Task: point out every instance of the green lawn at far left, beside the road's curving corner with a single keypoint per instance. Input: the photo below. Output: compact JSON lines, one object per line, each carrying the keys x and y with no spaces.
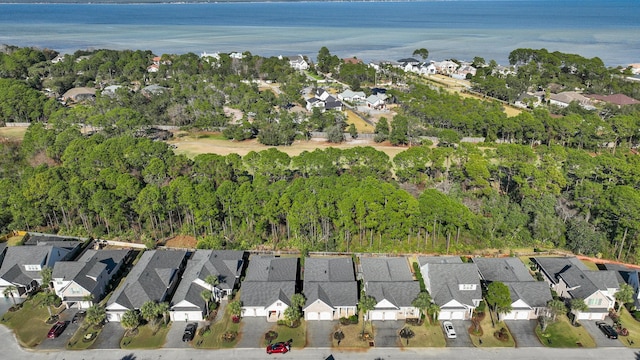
{"x":29,"y":323}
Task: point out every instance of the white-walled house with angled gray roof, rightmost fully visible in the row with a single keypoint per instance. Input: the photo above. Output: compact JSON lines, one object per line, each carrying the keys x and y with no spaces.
{"x":571,"y":279}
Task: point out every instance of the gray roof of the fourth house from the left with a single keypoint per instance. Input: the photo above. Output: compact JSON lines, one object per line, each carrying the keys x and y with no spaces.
{"x":225,"y":264}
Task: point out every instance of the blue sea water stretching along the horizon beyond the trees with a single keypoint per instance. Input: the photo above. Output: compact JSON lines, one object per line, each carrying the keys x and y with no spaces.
{"x":368,"y":30}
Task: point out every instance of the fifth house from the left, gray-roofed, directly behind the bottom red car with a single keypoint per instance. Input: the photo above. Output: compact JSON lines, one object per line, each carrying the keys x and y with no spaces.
{"x":268,"y":286}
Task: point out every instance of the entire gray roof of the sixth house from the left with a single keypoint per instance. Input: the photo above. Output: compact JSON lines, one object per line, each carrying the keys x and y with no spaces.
{"x":331,"y":280}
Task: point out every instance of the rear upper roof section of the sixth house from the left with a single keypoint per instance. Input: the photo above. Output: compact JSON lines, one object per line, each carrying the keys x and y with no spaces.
{"x":329,"y":269}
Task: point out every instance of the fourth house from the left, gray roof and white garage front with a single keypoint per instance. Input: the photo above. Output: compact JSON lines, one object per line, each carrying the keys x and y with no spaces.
{"x":225,"y":265}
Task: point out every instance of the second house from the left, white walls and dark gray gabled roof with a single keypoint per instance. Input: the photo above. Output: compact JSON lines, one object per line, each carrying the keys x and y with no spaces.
{"x":75,"y":281}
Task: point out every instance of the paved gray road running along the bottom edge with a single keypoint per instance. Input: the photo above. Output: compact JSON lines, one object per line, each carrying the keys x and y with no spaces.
{"x":10,"y":350}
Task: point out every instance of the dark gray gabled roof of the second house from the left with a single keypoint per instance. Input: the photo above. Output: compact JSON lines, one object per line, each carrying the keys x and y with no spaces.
{"x":91,"y":264}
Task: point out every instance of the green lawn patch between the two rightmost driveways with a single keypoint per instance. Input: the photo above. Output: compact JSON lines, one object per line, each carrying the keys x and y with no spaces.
{"x":561,"y":334}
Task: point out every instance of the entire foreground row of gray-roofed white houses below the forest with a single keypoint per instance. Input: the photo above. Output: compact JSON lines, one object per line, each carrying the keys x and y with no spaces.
{"x":331,"y":286}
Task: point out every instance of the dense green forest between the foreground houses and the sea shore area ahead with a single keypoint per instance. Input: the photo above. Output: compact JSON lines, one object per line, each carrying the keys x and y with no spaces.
{"x":550,"y":183}
